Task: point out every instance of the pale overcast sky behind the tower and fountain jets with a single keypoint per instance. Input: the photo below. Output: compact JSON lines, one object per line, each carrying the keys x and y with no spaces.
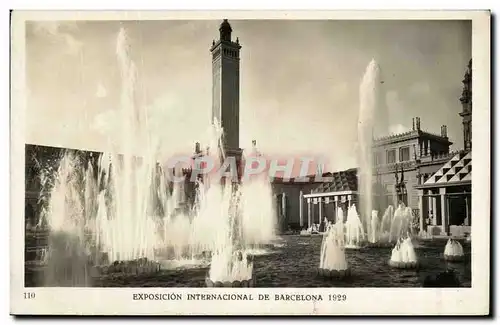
{"x":299,"y":80}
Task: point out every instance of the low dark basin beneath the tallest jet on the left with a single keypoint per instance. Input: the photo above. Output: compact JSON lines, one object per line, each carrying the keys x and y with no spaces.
{"x":139,"y":266}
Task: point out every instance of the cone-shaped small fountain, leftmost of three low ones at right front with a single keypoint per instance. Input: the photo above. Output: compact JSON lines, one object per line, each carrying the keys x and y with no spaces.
{"x":333,"y":263}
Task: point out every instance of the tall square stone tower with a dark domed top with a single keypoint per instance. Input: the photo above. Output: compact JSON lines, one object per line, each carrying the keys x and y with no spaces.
{"x":226,"y":86}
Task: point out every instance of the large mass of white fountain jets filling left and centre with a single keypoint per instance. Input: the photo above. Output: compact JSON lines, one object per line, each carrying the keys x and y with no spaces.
{"x":129,"y":211}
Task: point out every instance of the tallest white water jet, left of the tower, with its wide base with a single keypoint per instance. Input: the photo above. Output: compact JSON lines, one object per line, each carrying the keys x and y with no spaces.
{"x":126,"y":227}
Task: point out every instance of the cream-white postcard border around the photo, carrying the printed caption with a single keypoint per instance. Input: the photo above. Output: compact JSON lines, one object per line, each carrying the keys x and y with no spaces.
{"x":364,"y":301}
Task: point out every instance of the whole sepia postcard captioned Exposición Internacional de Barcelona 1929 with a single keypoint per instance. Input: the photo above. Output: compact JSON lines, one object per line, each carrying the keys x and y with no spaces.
{"x":250,"y":163}
